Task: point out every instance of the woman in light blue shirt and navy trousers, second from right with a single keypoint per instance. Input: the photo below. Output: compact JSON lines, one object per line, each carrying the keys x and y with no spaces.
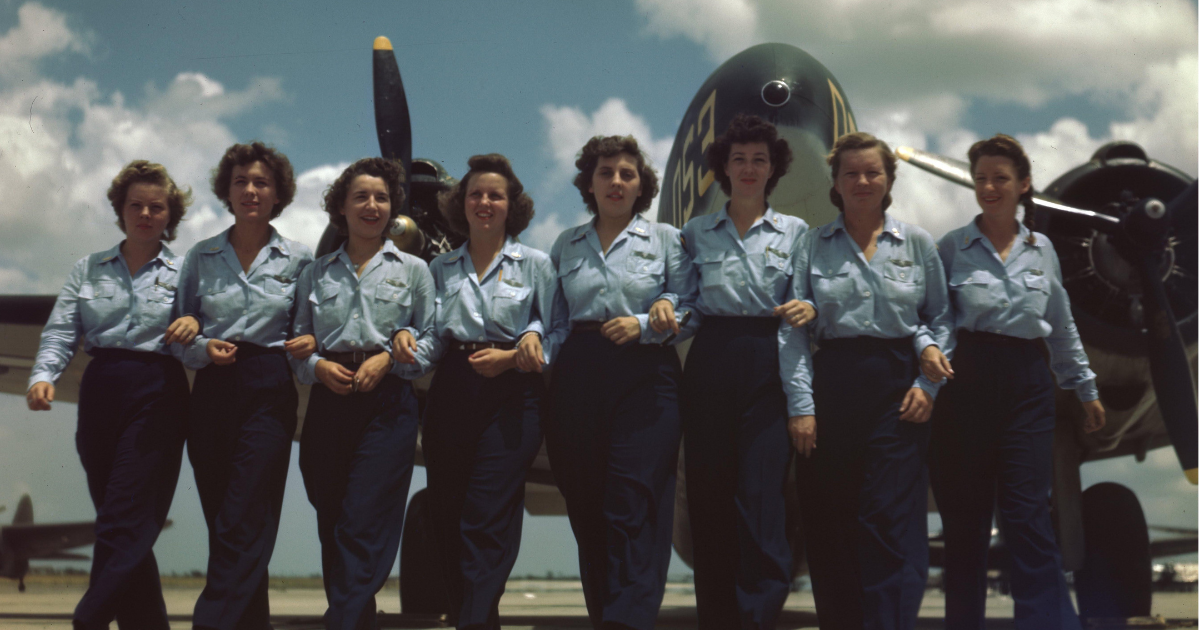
{"x":880,"y":296}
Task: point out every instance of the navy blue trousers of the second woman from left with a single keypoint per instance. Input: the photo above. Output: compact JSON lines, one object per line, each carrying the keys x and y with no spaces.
{"x":239,"y":441}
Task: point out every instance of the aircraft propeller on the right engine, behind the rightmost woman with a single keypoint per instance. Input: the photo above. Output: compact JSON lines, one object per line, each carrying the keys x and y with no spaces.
{"x":1139,"y":231}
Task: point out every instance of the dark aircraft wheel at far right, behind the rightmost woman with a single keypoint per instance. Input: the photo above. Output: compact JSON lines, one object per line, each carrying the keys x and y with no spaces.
{"x":1115,"y":581}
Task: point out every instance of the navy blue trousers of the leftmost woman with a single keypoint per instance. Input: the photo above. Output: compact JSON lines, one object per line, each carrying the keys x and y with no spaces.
{"x":133,"y":413}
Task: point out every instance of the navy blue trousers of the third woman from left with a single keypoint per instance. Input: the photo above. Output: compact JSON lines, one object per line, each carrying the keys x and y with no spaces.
{"x":357,"y":459}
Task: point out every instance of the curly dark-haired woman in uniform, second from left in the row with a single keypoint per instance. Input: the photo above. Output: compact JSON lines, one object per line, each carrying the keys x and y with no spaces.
{"x":242,"y":289}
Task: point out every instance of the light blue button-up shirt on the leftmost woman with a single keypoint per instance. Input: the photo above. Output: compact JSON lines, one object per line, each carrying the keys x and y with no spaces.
{"x":106,"y":308}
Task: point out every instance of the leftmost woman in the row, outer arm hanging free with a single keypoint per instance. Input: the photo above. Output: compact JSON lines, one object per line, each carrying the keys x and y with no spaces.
{"x":134,"y":394}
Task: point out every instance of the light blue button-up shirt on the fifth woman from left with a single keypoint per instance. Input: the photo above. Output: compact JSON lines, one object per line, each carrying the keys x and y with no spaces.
{"x":645,"y":263}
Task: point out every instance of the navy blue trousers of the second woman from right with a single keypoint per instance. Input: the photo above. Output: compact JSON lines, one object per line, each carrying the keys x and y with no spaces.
{"x":865,"y":490}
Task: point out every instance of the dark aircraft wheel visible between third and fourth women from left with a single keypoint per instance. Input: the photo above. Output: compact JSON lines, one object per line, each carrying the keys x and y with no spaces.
{"x":422,"y":585}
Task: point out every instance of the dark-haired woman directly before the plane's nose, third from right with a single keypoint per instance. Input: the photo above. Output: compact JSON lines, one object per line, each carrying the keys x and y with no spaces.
{"x":733,"y":401}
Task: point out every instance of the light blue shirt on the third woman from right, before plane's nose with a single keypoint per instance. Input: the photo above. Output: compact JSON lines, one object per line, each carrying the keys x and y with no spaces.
{"x":747,"y":277}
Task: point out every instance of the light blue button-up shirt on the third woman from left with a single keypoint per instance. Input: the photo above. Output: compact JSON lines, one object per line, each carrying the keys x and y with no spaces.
{"x":349,"y":313}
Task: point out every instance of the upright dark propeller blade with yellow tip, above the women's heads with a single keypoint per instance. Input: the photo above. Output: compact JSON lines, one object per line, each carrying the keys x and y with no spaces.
{"x":393,"y":124}
